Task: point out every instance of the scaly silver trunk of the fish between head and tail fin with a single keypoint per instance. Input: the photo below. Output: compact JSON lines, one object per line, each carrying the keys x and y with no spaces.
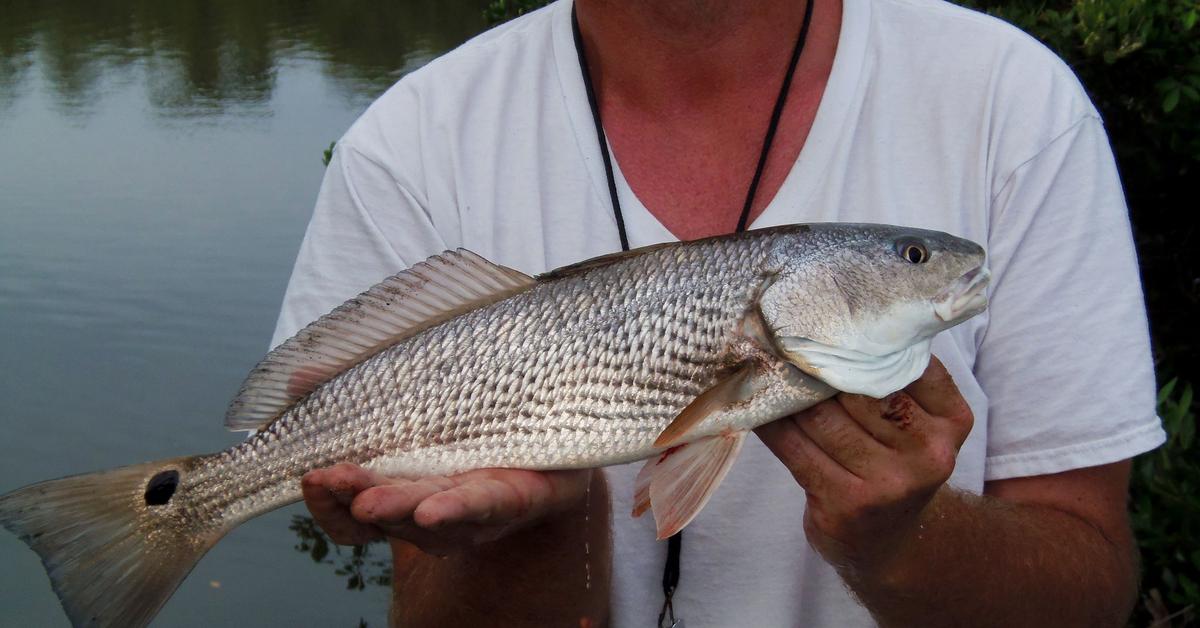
{"x":584,"y":370}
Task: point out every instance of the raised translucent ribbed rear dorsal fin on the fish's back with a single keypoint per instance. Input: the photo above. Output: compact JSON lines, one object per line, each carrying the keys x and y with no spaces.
{"x":429,"y":294}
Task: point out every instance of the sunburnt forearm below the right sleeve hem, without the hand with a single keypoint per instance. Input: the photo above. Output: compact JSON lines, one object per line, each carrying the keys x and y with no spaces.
{"x":982,"y":561}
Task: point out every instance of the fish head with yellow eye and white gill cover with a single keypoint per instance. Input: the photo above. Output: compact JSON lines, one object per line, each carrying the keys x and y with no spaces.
{"x":857,"y":306}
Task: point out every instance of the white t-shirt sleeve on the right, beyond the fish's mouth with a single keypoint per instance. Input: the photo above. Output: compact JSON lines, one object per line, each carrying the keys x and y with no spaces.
{"x":1066,"y":360}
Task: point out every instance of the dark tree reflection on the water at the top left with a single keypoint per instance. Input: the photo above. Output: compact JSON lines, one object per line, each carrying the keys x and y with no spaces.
{"x":200,"y":57}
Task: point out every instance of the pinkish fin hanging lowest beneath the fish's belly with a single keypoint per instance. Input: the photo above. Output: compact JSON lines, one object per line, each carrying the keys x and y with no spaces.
{"x":680,"y":482}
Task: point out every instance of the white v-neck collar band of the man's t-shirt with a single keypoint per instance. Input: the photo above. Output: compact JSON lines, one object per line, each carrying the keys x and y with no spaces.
{"x":837,"y":104}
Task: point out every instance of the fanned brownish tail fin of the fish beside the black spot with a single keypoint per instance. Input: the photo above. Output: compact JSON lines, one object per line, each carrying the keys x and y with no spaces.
{"x":115,"y":543}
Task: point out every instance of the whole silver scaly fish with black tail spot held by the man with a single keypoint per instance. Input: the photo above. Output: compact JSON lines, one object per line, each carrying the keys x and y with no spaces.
{"x":584,"y":367}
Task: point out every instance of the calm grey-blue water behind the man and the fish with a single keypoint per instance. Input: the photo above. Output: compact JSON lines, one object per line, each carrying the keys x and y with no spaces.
{"x":158,"y":168}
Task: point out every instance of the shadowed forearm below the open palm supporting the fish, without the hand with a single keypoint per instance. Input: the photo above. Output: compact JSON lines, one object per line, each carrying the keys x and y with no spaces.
{"x":556,"y":573}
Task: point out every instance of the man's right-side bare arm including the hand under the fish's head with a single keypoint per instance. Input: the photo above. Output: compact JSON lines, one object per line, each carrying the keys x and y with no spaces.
{"x":1051,"y":551}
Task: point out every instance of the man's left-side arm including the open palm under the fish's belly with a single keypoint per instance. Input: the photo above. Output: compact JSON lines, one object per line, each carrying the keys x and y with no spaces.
{"x":551,"y":567}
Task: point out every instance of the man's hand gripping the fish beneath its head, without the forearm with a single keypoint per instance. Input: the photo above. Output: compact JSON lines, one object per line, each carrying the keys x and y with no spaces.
{"x":872,"y":466}
